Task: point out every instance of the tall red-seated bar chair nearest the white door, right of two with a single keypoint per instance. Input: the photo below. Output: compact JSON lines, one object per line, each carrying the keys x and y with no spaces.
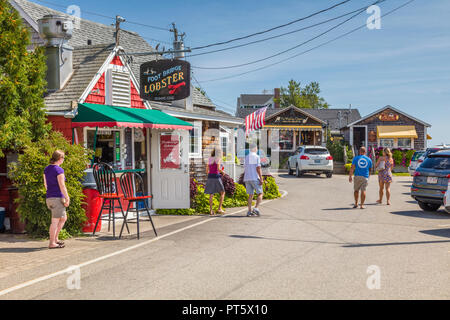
{"x":131,"y":184}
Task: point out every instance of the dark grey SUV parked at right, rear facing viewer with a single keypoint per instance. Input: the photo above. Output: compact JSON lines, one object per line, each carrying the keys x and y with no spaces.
{"x":431,"y":181}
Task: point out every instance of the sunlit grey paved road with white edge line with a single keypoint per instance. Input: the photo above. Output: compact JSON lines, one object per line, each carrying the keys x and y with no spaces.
{"x":307,"y":245}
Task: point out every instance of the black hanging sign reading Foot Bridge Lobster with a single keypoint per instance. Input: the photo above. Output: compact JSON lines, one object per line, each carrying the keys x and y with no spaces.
{"x":165,"y":80}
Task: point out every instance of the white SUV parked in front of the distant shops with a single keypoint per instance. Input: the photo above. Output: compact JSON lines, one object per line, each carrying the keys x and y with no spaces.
{"x":311,"y":159}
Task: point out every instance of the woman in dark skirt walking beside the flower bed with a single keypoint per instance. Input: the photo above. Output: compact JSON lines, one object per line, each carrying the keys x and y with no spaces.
{"x":214,"y":183}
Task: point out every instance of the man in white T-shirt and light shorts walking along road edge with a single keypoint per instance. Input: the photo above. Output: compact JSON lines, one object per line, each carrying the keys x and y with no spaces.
{"x":253,"y":180}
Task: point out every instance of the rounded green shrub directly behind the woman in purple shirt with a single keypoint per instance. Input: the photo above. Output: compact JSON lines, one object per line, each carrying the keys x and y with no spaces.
{"x":27,"y":175}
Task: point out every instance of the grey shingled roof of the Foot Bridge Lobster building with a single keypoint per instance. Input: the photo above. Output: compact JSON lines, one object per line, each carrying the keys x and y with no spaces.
{"x":101,"y":36}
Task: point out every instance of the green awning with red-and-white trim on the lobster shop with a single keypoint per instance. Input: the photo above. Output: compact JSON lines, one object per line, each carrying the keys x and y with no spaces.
{"x":97,"y":115}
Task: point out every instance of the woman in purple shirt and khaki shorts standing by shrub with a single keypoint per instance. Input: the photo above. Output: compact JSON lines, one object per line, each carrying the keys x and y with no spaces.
{"x":57,"y":197}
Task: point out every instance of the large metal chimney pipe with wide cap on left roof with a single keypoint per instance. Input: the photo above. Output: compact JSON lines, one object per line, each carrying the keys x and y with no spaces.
{"x":57,"y":30}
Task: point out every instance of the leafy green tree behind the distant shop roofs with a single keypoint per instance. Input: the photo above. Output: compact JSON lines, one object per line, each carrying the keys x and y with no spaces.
{"x":307,"y":97}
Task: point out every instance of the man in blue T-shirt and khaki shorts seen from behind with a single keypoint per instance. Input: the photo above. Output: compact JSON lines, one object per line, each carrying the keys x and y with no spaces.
{"x":361,"y":166}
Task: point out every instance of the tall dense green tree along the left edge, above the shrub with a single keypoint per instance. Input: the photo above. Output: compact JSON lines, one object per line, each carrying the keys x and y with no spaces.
{"x":22,"y":84}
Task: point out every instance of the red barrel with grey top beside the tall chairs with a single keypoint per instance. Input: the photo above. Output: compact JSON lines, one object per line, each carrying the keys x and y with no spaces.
{"x":93,"y":202}
